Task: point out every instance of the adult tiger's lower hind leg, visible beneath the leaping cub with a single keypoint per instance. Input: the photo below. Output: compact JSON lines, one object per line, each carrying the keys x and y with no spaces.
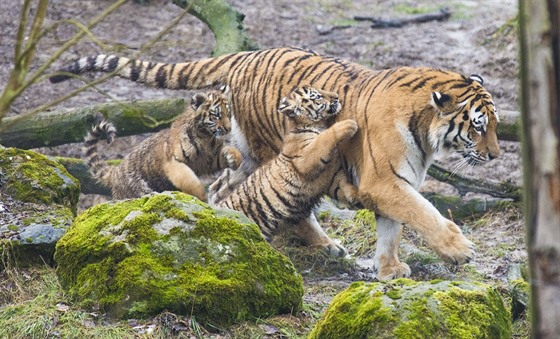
{"x":313,"y":235}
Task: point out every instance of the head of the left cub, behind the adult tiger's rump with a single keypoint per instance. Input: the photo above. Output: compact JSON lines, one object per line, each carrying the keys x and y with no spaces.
{"x":212,"y":111}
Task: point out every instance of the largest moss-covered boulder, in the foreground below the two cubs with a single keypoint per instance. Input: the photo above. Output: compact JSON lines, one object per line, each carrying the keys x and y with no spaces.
{"x":169,"y":251}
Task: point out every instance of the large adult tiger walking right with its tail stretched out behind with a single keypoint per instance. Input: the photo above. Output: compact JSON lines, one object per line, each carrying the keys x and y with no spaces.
{"x":405,"y":115}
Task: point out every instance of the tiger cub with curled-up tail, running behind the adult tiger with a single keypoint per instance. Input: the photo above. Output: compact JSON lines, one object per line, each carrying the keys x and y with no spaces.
{"x":174,"y":158}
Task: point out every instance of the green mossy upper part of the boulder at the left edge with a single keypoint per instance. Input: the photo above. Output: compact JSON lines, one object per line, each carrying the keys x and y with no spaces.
{"x":31,"y":177}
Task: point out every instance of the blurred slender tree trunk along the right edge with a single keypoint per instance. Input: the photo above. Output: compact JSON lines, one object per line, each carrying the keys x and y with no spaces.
{"x":540,"y":106}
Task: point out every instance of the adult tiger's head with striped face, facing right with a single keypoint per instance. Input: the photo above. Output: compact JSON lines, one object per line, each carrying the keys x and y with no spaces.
{"x":468,"y":121}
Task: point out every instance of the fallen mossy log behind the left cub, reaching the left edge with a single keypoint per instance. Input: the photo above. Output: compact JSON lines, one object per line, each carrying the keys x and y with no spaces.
{"x":63,"y":127}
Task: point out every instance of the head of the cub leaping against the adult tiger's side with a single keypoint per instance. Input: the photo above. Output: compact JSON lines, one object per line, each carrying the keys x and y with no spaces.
{"x":307,"y":106}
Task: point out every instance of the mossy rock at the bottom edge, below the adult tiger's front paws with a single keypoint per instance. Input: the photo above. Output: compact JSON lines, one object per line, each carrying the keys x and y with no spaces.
{"x":404,"y":308}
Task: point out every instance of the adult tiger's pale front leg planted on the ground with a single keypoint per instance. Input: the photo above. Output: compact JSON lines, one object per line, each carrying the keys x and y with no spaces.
{"x":386,"y":261}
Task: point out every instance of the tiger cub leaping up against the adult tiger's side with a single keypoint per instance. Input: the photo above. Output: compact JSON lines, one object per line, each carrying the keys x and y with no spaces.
{"x":281,"y":192}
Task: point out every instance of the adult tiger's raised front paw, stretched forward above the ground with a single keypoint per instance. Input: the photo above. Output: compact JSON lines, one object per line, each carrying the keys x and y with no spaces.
{"x":452,"y":246}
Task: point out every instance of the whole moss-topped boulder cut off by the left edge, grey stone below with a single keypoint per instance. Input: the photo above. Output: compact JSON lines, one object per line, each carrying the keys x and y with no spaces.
{"x":38,"y":200}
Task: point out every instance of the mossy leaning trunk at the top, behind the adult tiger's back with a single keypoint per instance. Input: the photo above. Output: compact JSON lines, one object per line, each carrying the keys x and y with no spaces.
{"x":224,"y":21}
